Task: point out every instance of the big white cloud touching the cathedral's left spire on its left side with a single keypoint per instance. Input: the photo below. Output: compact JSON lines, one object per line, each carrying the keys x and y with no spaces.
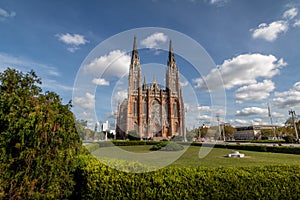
{"x":115,"y":63}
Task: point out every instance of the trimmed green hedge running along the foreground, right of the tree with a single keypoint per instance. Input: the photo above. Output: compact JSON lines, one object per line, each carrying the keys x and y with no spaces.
{"x":97,"y":181}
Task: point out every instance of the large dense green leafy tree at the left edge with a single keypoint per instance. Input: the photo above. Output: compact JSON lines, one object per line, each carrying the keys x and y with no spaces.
{"x":38,"y":139}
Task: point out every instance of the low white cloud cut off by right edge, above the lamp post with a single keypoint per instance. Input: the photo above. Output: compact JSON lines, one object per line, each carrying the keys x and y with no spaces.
{"x":288,"y":99}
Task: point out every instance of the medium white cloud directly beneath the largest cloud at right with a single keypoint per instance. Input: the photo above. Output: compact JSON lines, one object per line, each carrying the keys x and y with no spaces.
{"x":254,"y":92}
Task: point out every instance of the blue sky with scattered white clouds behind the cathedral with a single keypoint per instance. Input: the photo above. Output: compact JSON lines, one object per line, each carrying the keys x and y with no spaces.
{"x":235,"y":57}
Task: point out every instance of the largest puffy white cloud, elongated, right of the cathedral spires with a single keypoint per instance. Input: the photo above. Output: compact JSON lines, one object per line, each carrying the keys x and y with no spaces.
{"x":241,"y":70}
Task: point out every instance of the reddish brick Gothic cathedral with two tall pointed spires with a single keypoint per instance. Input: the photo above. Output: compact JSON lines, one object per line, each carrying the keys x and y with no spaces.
{"x":150,"y":110}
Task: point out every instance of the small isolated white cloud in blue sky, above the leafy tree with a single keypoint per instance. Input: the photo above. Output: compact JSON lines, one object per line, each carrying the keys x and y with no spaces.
{"x":73,"y":40}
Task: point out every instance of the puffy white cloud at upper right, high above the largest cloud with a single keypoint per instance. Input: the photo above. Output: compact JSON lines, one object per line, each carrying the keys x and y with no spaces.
{"x":270,"y":31}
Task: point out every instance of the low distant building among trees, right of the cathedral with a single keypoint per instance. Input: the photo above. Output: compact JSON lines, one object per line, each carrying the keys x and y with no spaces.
{"x":250,"y":132}
